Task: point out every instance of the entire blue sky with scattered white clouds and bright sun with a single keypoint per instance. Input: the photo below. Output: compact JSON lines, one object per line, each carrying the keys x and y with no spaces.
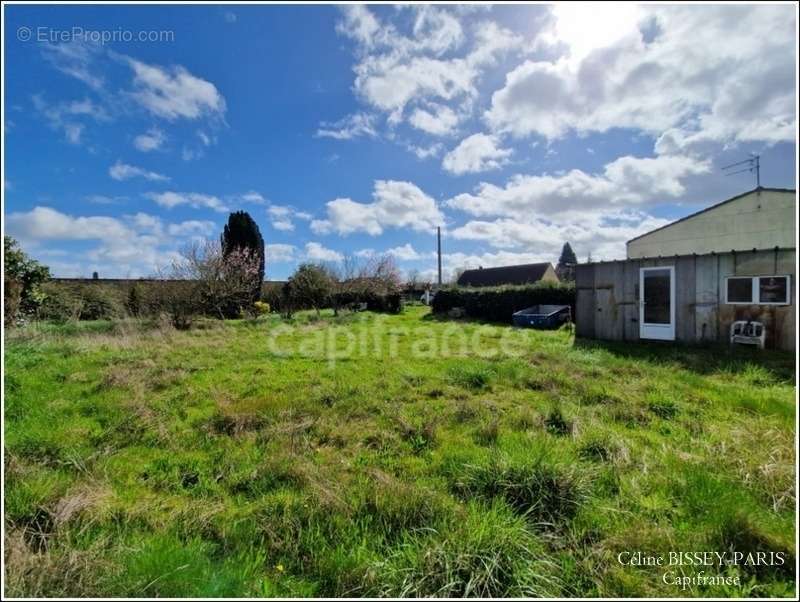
{"x":353,"y":131}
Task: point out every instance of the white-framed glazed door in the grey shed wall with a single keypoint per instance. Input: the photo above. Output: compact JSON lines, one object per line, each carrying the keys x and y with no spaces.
{"x":657,"y":303}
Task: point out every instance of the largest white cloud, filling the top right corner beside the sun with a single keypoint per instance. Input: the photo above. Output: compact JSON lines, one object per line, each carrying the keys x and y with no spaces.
{"x":740,"y":88}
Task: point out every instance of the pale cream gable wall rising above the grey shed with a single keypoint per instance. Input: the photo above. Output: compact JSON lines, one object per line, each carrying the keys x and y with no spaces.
{"x":761,"y":219}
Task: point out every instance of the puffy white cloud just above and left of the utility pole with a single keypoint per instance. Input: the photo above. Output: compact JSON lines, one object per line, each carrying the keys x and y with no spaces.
{"x":395,"y":205}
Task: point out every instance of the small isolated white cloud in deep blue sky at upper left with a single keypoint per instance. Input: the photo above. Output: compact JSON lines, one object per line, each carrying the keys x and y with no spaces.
{"x":174,"y":93}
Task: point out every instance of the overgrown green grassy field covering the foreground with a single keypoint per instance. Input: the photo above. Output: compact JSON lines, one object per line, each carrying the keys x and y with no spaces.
{"x":402,"y":455}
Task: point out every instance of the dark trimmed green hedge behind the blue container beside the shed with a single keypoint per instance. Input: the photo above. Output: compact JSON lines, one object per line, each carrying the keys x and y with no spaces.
{"x":497,"y":304}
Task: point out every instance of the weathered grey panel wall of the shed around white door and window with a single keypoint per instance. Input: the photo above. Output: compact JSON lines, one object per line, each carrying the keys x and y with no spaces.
{"x":607,"y":305}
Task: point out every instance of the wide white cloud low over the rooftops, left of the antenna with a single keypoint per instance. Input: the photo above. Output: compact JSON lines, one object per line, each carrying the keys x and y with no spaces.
{"x":596,"y":213}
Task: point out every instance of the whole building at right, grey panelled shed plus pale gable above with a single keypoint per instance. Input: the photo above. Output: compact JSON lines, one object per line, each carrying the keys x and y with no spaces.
{"x":692,"y":279}
